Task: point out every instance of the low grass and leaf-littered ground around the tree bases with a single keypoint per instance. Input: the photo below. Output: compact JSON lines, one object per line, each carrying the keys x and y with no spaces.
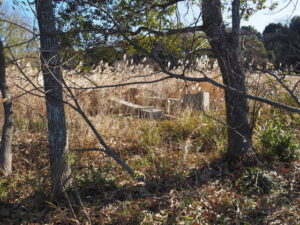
{"x":182,"y":155}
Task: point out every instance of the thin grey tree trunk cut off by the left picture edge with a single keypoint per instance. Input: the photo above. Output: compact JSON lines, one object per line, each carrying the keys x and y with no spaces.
{"x":8,"y":125}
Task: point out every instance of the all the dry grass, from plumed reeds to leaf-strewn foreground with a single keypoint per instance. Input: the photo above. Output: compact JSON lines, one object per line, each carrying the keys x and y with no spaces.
{"x":183,"y":156}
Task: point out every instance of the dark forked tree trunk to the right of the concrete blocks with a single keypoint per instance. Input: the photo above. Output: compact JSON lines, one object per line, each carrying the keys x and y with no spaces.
{"x":226,"y":46}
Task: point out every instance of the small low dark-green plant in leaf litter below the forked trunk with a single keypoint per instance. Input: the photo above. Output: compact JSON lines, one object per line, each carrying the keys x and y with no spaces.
{"x":256,"y":181}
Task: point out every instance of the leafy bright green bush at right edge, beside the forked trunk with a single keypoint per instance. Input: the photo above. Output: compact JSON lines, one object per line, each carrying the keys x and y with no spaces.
{"x":278,"y":143}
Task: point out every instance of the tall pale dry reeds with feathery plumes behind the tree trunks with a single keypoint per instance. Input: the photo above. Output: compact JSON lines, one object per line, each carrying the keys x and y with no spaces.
{"x":108,"y":117}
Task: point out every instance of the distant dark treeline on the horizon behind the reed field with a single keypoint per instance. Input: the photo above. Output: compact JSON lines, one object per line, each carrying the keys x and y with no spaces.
{"x":278,"y":46}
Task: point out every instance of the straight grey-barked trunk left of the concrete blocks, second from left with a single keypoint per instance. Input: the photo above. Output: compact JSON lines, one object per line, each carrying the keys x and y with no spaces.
{"x":58,"y":143}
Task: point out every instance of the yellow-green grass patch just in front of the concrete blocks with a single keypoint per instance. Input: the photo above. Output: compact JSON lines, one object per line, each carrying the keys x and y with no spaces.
{"x":204,"y":133}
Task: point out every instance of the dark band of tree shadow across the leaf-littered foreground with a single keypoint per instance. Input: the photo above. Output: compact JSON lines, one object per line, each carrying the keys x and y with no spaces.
{"x":97,"y":194}
